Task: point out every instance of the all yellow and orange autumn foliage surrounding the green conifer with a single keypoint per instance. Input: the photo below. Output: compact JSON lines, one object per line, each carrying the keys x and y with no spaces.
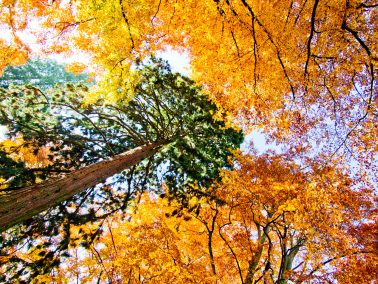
{"x":301,"y":72}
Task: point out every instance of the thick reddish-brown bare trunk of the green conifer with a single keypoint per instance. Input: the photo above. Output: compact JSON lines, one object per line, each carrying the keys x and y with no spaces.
{"x":21,"y":204}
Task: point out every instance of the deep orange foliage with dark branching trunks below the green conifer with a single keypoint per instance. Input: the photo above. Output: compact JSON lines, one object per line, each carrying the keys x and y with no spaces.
{"x":308,"y":226}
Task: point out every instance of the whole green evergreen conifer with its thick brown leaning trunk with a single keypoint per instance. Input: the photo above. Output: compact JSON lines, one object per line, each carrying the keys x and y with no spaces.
{"x":169,"y":120}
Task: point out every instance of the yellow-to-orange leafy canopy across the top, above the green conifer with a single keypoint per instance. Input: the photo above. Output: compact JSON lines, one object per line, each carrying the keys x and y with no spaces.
{"x":303,"y":70}
